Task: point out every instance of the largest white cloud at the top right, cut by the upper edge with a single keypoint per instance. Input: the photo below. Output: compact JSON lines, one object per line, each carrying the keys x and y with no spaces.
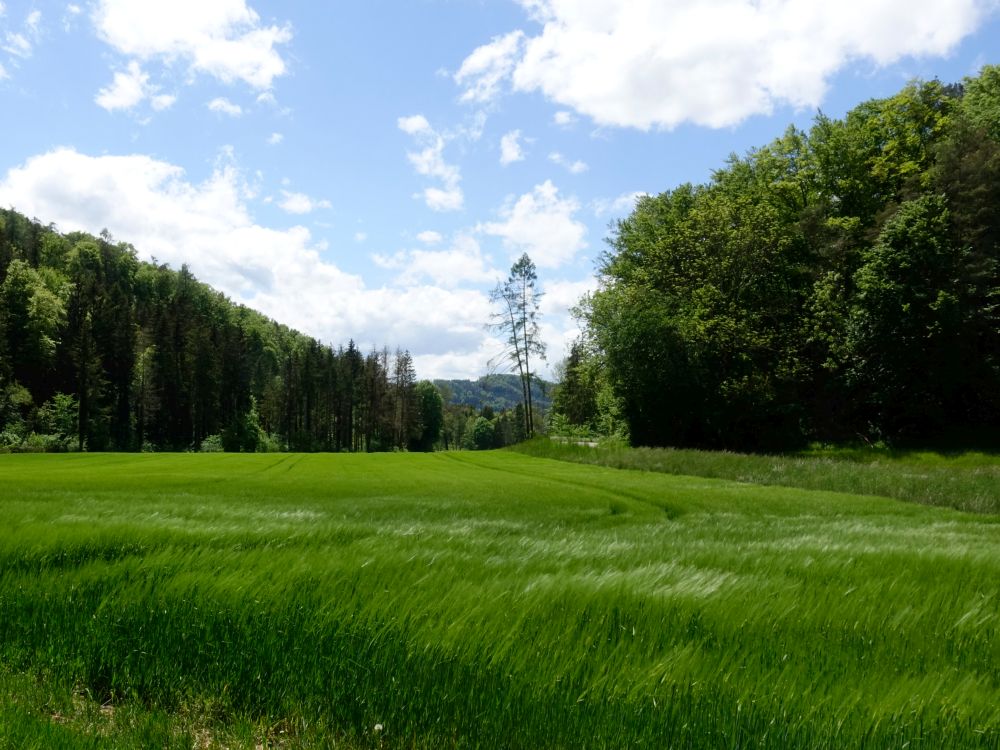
{"x":660,"y":63}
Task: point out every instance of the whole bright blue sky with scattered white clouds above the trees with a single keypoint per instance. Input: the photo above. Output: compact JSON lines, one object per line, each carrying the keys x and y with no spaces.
{"x":370,"y":170}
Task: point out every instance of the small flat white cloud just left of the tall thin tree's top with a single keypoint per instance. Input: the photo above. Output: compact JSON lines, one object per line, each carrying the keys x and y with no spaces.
{"x":461,"y":263}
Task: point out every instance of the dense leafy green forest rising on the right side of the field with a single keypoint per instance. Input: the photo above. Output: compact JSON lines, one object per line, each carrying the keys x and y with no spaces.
{"x":837,"y":285}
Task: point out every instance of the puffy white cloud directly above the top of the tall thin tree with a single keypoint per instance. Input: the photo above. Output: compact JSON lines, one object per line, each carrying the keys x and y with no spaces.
{"x":541,"y":224}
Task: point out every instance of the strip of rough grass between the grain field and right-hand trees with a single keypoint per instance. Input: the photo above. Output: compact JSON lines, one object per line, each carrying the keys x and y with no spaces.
{"x":965,"y":481}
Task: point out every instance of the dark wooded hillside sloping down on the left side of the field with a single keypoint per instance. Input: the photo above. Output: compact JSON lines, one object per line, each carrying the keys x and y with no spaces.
{"x":102,"y":351}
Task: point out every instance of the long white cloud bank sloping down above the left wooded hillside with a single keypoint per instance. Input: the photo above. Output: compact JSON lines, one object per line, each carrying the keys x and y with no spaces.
{"x":282,"y":273}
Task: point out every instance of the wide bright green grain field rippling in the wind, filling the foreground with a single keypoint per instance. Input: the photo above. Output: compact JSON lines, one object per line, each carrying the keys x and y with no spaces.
{"x":482,"y":600}
